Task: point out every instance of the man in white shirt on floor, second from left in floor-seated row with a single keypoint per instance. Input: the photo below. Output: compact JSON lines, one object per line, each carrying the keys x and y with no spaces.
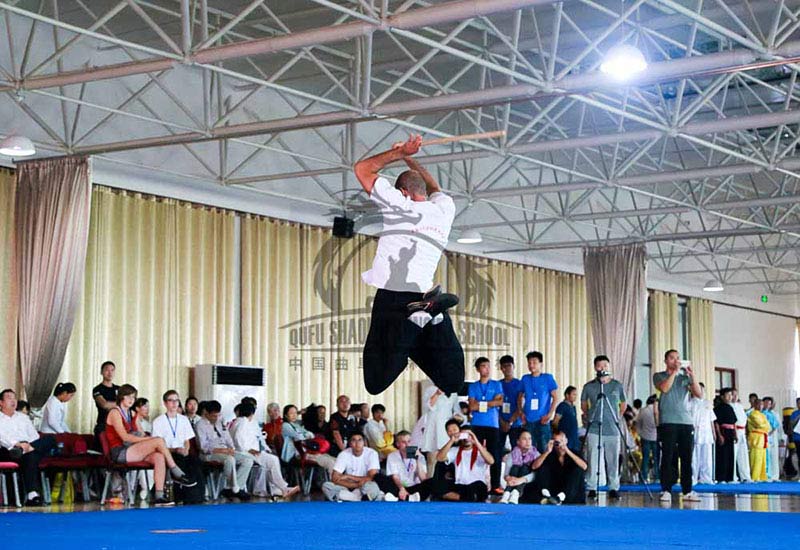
{"x":406,"y":473}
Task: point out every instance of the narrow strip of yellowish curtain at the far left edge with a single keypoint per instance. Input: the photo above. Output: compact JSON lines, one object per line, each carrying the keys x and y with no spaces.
{"x":9,"y":375}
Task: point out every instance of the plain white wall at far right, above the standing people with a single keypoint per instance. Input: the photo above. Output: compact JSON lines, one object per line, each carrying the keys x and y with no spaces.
{"x":762,"y":349}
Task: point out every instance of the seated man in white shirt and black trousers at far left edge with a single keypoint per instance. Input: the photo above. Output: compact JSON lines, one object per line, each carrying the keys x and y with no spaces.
{"x":20,"y":443}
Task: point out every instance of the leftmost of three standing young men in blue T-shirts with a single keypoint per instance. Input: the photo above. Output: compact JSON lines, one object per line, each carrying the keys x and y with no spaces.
{"x":485,"y":400}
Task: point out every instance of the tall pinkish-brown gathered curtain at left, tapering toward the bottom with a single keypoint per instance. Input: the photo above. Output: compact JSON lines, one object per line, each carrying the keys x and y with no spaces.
{"x":52,"y":224}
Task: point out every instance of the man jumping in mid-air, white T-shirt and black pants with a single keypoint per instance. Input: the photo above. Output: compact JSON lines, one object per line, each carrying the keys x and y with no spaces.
{"x":406,"y":320}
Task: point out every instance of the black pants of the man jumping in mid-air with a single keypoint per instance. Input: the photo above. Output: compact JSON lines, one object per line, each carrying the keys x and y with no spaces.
{"x":393,"y":339}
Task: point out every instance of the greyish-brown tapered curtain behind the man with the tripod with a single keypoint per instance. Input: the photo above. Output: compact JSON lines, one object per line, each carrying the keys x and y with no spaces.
{"x":617,"y":293}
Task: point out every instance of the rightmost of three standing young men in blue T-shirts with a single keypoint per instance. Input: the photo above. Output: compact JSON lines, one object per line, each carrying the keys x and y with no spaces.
{"x":537,"y":400}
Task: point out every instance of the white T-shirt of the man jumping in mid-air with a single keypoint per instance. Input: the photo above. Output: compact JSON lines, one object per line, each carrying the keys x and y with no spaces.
{"x":412,"y":239}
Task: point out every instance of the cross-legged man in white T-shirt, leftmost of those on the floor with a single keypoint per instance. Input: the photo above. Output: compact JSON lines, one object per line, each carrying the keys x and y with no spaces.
{"x":353,"y":473}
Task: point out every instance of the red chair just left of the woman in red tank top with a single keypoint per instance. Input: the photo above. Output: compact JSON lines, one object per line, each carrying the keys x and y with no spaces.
{"x":74,"y":457}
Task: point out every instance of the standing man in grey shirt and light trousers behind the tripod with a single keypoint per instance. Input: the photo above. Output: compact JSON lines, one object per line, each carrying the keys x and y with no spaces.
{"x":603,"y":438}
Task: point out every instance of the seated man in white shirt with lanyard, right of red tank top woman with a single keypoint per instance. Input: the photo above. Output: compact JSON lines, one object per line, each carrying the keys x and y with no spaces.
{"x":177,"y":432}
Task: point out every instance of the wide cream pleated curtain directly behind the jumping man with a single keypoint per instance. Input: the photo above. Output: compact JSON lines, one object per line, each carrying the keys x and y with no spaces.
{"x":305,"y":316}
